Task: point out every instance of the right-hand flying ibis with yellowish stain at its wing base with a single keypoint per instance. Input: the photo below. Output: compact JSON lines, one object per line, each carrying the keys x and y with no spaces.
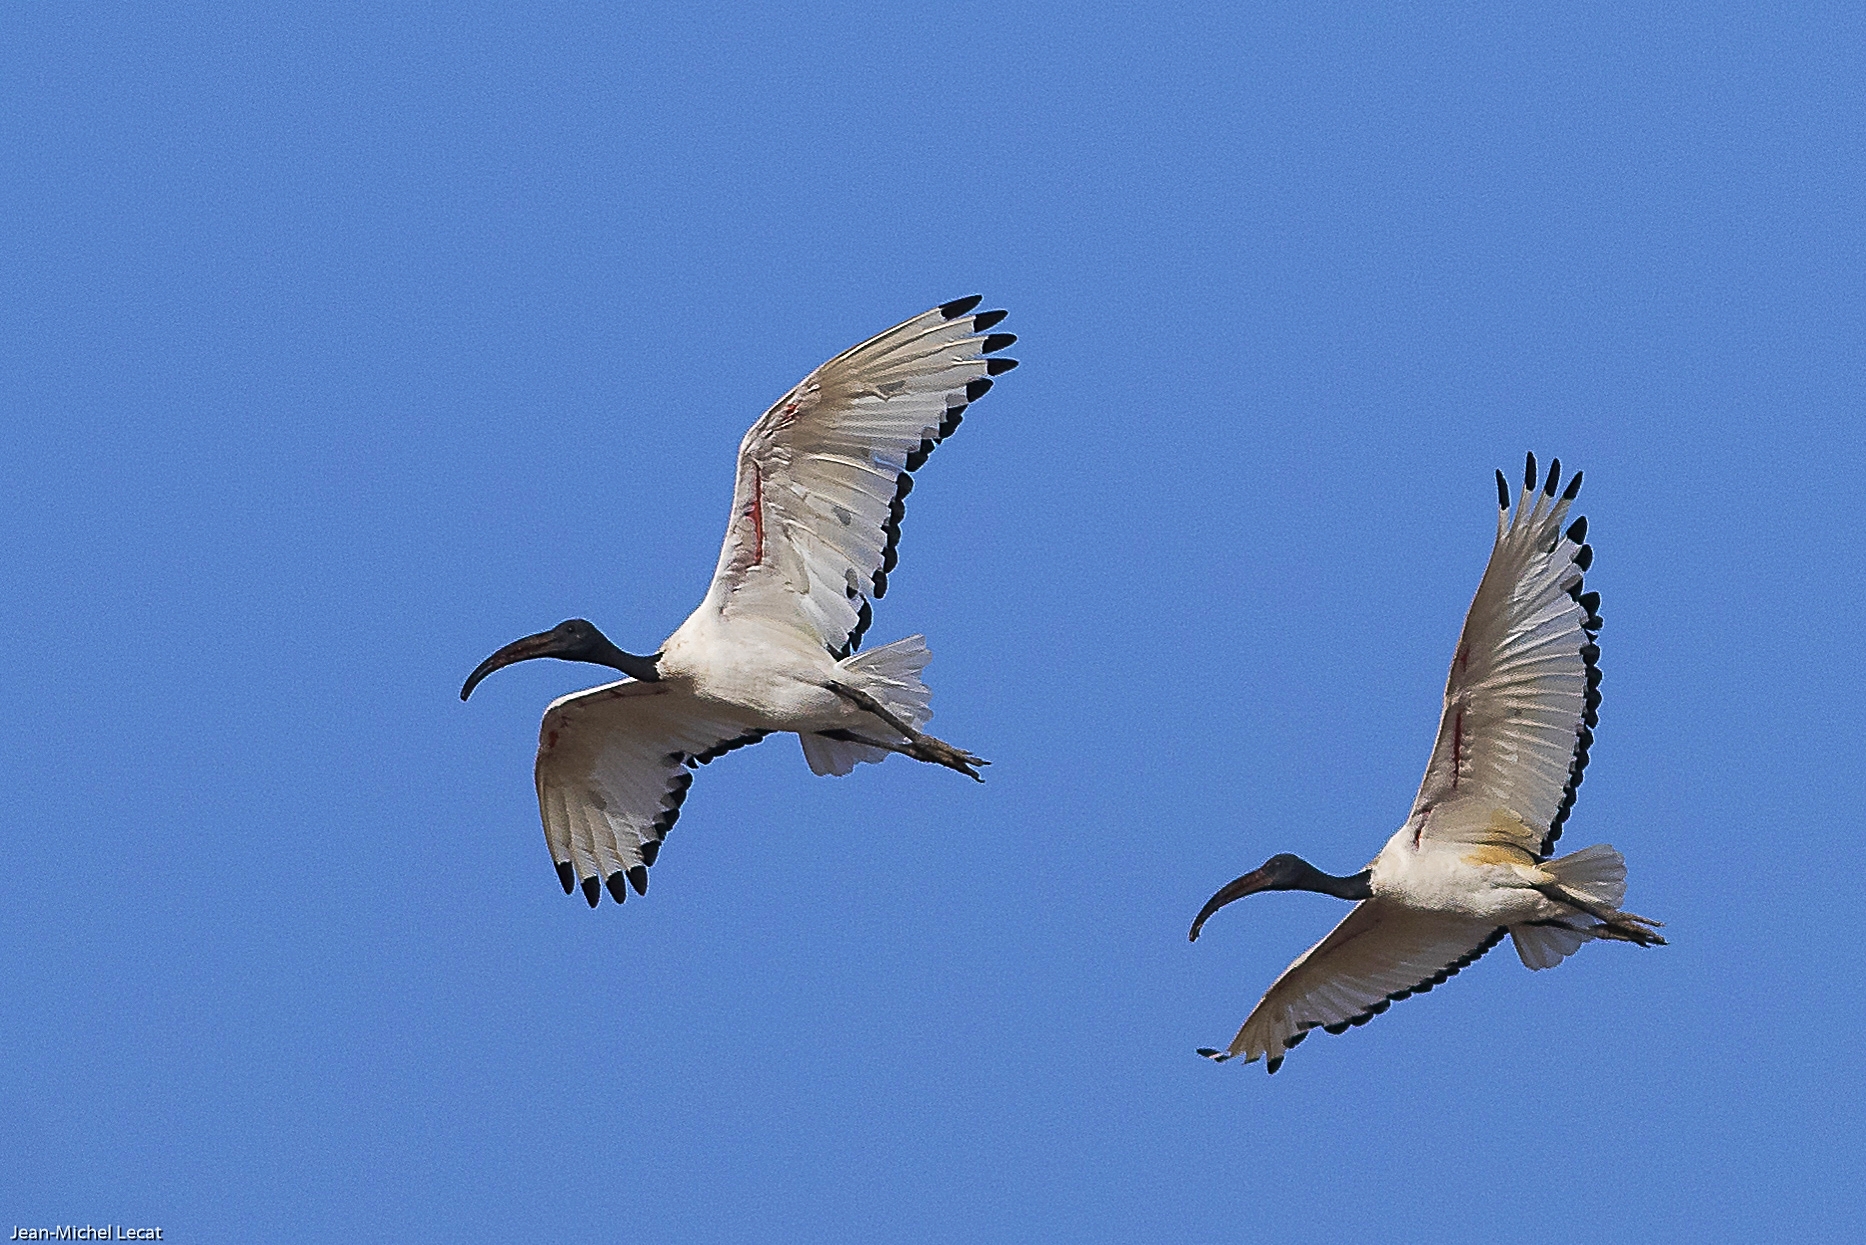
{"x":1471,"y":863}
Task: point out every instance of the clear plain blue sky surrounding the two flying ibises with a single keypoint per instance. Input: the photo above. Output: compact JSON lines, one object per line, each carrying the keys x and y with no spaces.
{"x":342,"y":344}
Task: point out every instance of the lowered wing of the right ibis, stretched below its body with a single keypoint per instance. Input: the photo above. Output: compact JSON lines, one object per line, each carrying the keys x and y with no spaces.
{"x":1382,"y":953}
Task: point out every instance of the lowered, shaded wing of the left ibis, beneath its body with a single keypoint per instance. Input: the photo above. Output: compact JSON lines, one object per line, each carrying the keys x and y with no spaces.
{"x":613,"y":770}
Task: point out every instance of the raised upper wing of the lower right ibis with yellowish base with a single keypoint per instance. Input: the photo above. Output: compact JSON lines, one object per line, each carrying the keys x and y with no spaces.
{"x":1520,"y":705}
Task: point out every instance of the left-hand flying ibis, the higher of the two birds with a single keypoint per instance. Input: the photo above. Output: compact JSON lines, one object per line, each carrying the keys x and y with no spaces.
{"x":816,"y":525}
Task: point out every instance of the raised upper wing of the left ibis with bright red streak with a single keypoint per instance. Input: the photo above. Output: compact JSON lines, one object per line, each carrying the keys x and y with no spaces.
{"x":824,"y":475}
